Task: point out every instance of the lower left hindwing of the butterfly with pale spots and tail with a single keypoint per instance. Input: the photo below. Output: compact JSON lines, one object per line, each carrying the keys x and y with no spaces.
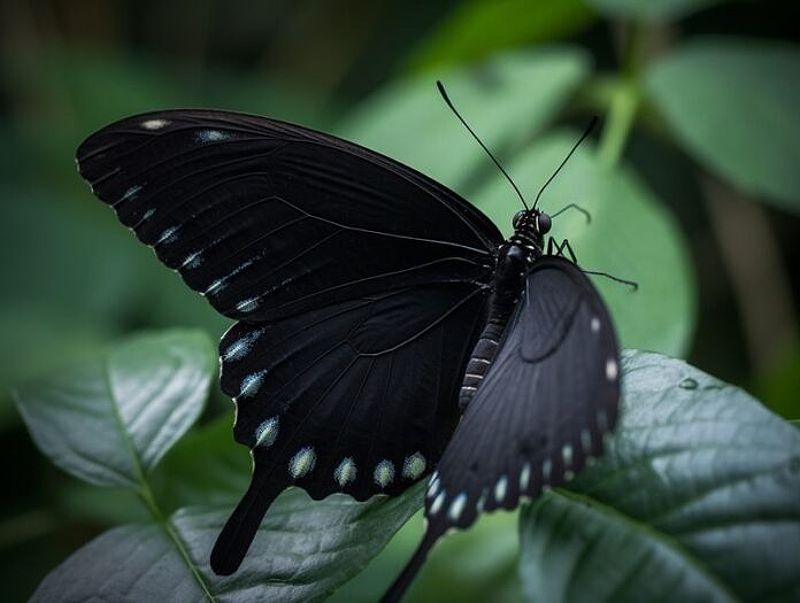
{"x":345,"y":399}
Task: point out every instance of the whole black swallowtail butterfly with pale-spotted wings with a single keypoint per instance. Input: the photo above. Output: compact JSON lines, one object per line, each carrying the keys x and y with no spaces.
{"x":374,"y":307}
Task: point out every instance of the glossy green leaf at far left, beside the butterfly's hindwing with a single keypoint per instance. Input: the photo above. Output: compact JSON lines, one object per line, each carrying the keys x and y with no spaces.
{"x":109,"y":421}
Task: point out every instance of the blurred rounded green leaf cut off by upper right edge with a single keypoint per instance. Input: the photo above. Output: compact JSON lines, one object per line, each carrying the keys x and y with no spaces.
{"x":733,"y":105}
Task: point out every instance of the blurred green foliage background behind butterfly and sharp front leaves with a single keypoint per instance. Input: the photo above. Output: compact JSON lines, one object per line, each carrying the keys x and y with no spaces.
{"x":700,"y":105}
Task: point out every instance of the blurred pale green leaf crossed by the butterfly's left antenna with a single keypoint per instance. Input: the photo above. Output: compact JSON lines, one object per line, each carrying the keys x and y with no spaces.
{"x":506,"y":100}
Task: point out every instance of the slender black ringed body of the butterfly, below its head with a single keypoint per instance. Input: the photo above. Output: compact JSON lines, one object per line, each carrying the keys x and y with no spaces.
{"x":508,"y":286}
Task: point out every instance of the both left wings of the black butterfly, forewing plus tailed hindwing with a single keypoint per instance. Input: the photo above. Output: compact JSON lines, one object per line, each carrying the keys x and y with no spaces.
{"x":361,"y":286}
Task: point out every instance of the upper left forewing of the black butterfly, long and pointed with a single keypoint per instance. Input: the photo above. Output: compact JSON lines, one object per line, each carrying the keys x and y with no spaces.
{"x":268,"y":219}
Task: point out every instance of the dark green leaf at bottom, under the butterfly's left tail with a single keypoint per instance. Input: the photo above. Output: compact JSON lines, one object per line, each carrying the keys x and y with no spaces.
{"x":302,"y":552}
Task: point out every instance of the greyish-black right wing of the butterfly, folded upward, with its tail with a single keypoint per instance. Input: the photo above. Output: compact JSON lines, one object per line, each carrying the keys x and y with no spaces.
{"x":542,"y":410}
